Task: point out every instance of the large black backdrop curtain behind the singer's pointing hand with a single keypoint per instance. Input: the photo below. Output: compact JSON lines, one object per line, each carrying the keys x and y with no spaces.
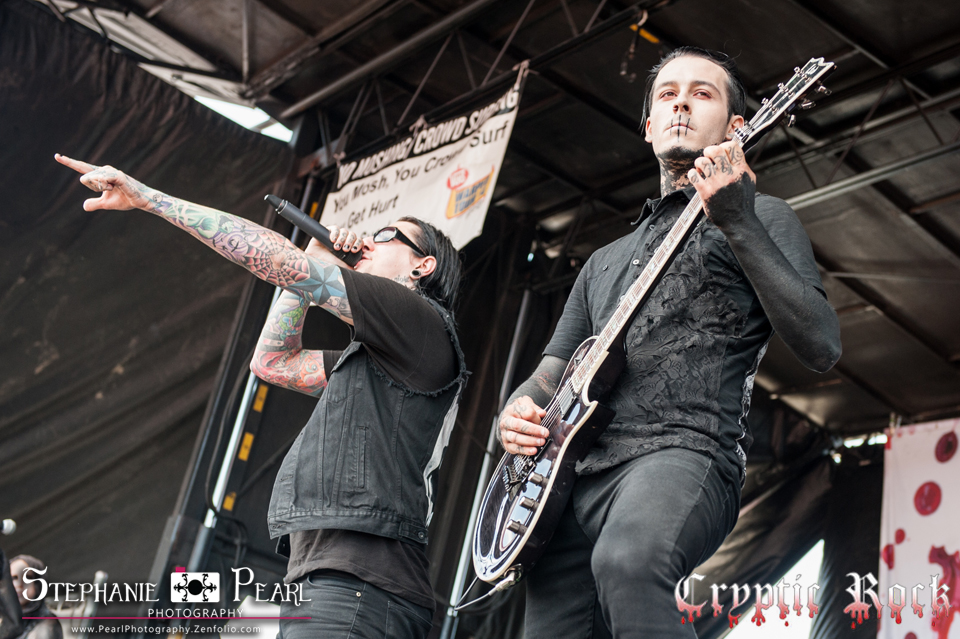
{"x":112,"y":324}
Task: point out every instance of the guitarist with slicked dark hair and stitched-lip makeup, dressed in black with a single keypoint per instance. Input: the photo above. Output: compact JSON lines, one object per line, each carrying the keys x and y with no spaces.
{"x":660,"y":489}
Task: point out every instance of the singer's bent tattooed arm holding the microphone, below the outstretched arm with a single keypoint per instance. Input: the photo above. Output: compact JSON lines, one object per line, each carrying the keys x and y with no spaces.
{"x":279,"y":358}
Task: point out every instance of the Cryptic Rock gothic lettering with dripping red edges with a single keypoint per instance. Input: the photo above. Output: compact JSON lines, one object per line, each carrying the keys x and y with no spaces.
{"x":787,"y":596}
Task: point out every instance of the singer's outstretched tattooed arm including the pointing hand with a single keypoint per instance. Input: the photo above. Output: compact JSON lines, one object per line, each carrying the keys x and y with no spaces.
{"x":266,"y":254}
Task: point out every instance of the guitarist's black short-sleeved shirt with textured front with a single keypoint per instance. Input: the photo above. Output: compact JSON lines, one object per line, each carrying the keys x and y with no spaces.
{"x":693,"y":348}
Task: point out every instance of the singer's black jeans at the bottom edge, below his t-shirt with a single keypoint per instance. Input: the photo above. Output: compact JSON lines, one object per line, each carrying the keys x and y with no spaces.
{"x":346,"y":607}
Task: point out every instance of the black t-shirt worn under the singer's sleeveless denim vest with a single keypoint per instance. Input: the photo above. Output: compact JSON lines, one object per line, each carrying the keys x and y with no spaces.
{"x":407,"y":340}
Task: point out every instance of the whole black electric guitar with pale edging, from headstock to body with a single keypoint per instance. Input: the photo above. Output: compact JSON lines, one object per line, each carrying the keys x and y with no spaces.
{"x":528,"y":493}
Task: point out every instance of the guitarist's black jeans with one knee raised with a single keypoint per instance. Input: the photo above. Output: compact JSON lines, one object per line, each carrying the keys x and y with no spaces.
{"x":628,"y":535}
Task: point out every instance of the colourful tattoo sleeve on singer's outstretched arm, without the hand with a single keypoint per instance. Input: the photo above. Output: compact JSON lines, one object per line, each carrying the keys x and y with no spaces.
{"x":266,"y":254}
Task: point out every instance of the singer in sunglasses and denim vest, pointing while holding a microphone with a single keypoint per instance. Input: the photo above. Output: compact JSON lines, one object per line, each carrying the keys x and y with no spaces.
{"x":354,"y":495}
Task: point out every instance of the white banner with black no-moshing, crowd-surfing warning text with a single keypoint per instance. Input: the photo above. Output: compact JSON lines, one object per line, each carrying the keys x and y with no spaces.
{"x":443,"y":174}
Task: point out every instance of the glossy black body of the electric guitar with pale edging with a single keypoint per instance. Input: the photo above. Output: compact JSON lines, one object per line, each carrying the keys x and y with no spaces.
{"x":527,"y":494}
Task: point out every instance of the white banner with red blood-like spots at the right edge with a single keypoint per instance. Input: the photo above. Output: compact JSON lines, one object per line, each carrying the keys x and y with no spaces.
{"x":920,"y":534}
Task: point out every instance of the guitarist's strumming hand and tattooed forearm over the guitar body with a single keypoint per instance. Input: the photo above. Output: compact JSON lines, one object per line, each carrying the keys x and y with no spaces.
{"x":520,"y":428}
